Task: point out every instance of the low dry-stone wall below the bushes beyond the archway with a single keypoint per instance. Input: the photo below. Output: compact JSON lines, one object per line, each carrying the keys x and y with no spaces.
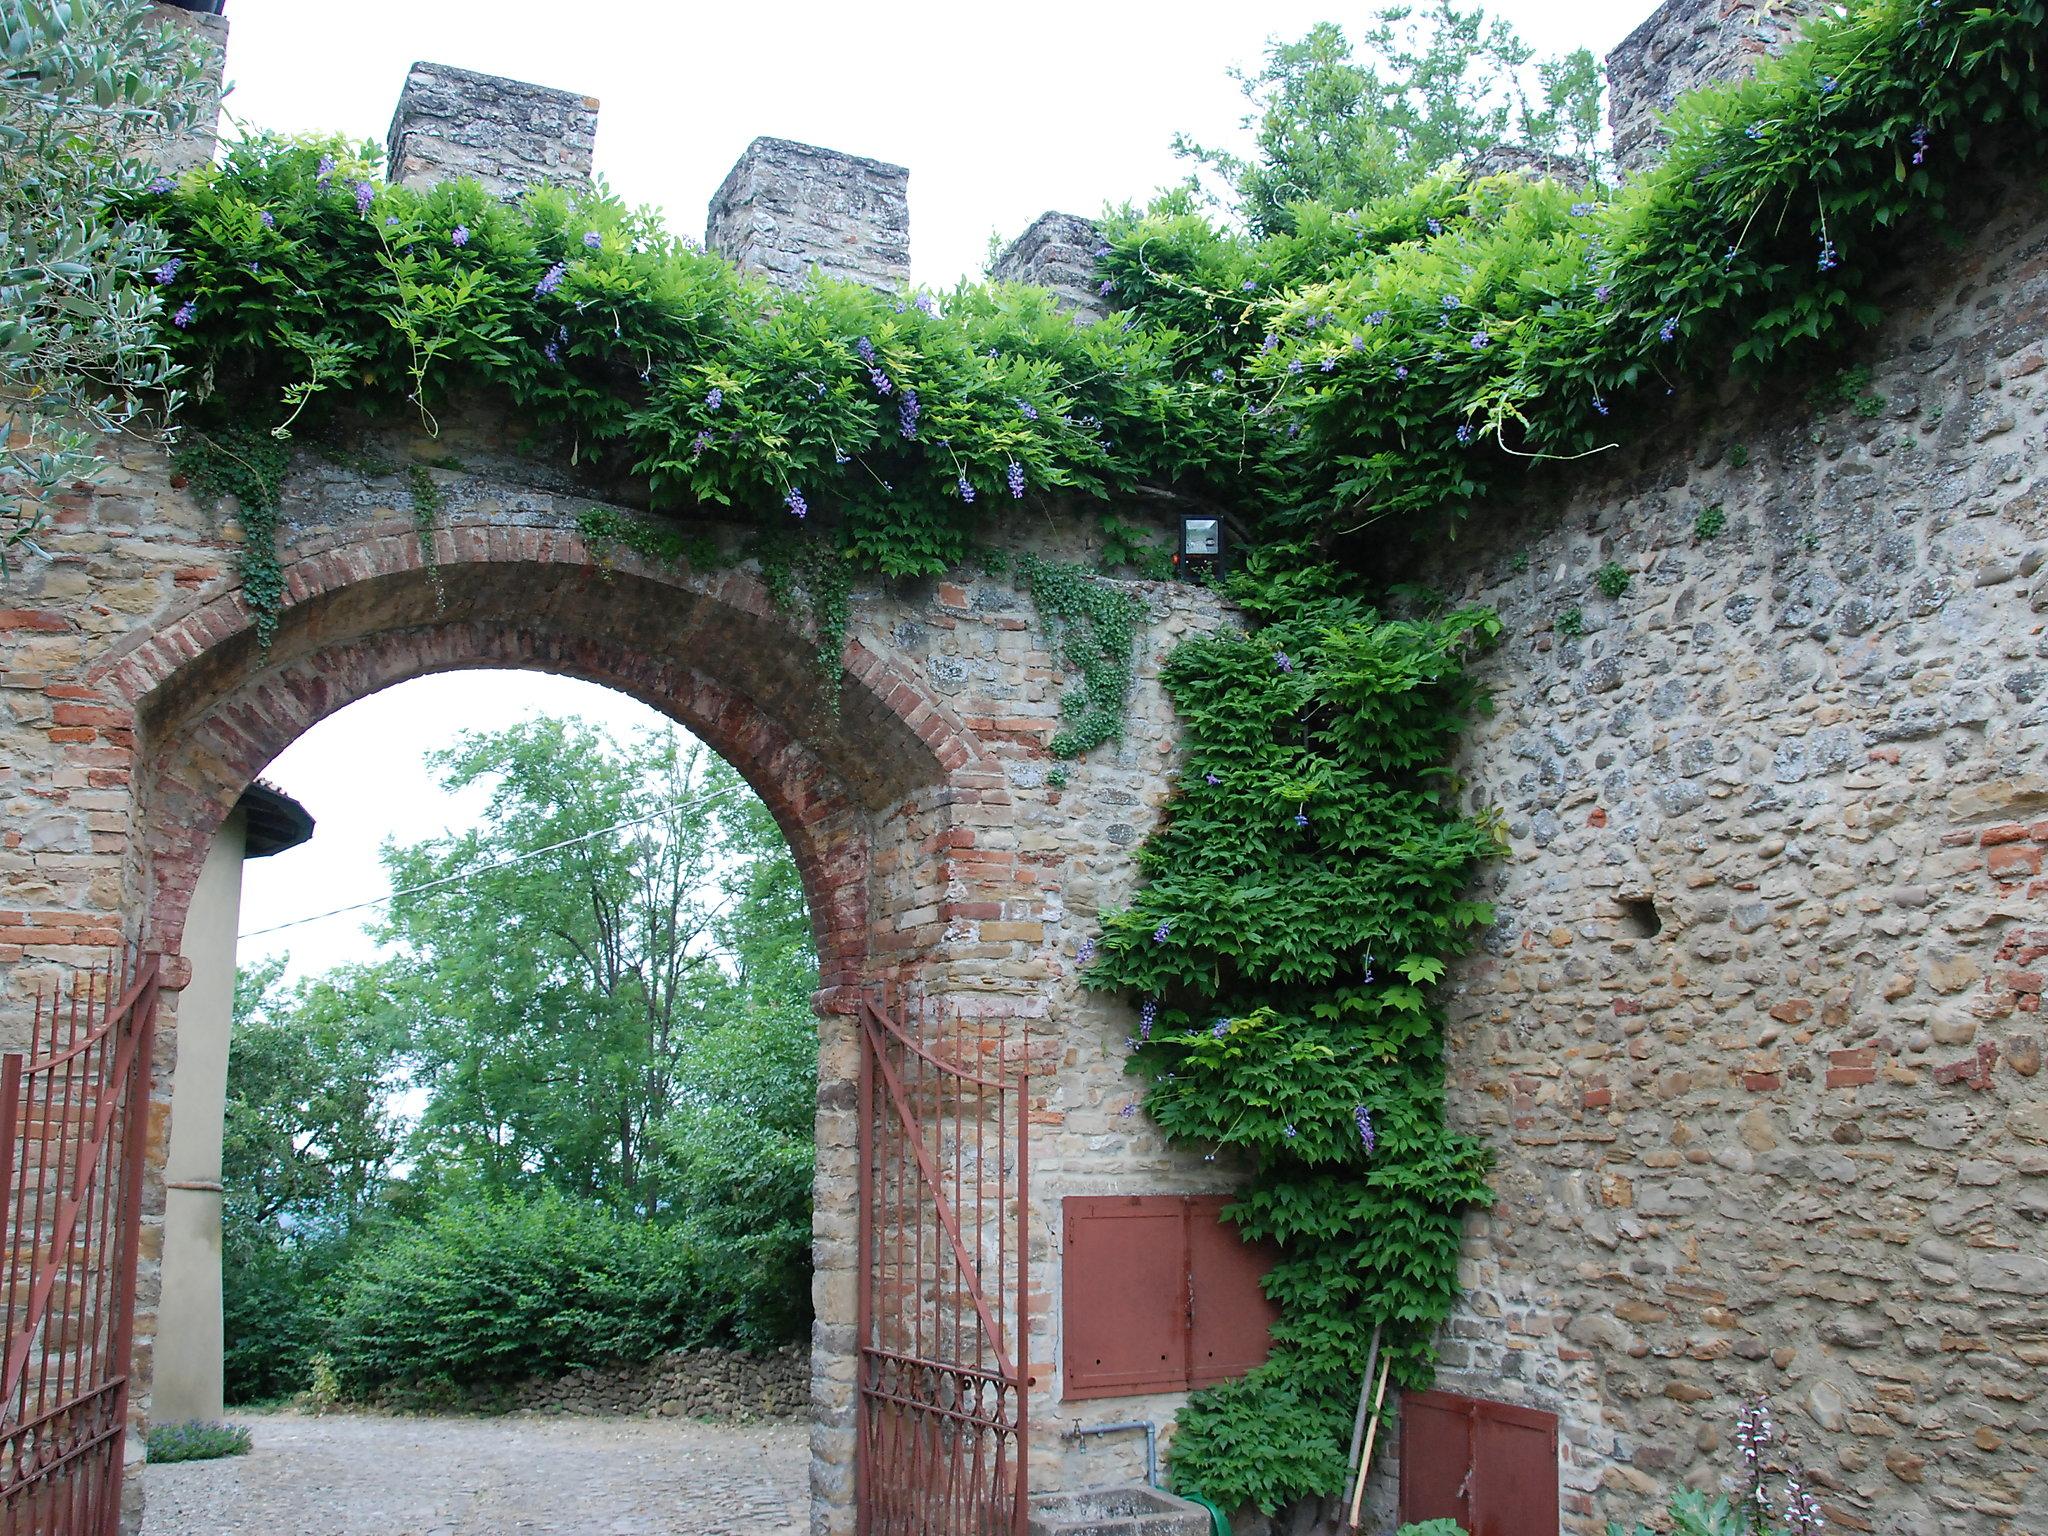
{"x":683,"y":1383}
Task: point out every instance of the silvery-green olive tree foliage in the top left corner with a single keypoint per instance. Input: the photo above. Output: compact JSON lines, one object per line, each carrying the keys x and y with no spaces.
{"x":87,"y":91}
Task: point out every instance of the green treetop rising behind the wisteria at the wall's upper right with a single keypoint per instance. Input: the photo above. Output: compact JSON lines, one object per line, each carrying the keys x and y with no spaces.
{"x":1424,"y":89}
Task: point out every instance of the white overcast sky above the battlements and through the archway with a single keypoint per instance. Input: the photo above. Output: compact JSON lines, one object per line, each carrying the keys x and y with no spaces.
{"x":998,"y":112}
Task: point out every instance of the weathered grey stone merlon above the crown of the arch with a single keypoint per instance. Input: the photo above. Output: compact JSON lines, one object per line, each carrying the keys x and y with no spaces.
{"x":509,"y":134}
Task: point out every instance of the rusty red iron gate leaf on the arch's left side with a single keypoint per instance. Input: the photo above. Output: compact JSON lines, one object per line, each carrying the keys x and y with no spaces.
{"x":75,"y":1113}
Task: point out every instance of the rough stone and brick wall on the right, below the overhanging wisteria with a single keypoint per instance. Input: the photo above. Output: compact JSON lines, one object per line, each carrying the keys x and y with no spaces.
{"x":1758,"y":1033}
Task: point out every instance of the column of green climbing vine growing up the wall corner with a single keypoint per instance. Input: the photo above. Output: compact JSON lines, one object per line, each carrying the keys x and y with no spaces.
{"x":1306,"y":894}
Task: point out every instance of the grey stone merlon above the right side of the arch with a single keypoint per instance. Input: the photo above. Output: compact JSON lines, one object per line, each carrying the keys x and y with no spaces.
{"x":790,"y":208}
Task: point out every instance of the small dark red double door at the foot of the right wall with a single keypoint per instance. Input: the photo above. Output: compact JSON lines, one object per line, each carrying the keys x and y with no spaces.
{"x":1492,"y":1467}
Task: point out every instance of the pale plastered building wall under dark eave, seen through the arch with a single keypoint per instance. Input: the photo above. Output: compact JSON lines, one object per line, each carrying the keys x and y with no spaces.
{"x":189,"y":1334}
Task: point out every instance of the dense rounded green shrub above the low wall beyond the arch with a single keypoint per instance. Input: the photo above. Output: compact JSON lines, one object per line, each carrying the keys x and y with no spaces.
{"x":499,"y":1291}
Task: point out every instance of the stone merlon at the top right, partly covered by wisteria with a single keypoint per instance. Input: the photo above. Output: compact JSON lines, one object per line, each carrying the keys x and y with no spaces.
{"x":1682,"y":46}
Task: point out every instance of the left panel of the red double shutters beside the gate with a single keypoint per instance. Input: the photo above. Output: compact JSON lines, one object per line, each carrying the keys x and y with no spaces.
{"x":1125,"y":1283}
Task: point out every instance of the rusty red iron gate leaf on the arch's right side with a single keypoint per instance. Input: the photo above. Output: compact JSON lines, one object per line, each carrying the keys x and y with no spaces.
{"x":945,"y":1281}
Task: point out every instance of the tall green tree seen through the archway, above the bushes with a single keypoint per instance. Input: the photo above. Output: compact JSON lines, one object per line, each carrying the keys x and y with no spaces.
{"x":613,"y":902}
